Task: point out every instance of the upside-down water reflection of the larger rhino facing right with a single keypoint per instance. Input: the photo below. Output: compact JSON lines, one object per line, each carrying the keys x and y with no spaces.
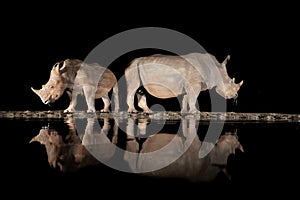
{"x":190,"y":165}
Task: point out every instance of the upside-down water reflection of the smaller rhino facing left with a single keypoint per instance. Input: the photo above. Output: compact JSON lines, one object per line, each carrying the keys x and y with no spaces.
{"x":74,"y":151}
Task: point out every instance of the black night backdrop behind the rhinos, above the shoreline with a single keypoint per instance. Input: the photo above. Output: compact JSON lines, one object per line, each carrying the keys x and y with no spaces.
{"x":261,"y":39}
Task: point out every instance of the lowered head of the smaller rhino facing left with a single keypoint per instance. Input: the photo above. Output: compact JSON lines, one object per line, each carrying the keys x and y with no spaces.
{"x":55,"y":86}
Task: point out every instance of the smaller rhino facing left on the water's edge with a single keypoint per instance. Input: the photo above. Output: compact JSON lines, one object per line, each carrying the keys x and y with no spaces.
{"x":77,"y":77}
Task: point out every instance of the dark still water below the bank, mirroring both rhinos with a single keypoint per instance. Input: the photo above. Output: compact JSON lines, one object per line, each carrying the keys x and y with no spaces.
{"x":61,"y":158}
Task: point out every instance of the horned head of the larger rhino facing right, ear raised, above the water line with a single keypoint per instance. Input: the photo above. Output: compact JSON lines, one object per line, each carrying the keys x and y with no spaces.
{"x":229,"y":89}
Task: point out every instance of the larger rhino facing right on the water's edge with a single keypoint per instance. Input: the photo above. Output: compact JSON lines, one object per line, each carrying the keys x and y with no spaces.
{"x":167,"y":76}
